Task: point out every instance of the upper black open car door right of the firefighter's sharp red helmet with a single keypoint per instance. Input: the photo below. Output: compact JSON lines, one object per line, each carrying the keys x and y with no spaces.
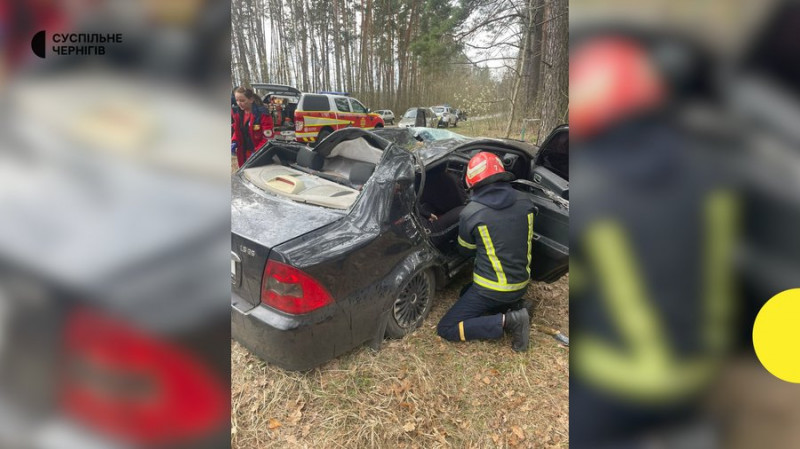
{"x":550,"y":167}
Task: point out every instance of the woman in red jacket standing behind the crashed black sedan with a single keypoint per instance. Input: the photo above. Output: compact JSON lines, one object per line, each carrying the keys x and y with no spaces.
{"x":255,"y":126}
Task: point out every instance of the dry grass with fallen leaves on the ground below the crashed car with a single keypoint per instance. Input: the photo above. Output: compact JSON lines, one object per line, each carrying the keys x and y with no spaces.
{"x":417,"y":392}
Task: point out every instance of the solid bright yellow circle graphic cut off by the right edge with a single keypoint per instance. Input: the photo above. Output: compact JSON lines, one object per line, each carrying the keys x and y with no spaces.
{"x":776,"y":335}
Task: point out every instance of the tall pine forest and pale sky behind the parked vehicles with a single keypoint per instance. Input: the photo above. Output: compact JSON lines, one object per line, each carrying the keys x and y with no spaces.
{"x":504,"y":59}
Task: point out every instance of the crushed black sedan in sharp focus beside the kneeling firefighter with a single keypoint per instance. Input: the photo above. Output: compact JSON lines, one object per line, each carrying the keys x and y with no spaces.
{"x":330,"y":247}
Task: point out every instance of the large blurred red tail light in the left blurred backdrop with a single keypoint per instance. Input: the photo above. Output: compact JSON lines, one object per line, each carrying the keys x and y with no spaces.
{"x":132,"y":386}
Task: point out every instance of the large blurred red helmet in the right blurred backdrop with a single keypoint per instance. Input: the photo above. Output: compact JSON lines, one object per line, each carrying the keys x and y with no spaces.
{"x":611,"y":79}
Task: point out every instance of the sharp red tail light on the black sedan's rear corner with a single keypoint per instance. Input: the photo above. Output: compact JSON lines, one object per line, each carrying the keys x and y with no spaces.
{"x":288,"y":289}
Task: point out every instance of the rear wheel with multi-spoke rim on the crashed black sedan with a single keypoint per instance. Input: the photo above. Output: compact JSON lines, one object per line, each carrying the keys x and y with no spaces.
{"x":411,"y":305}
